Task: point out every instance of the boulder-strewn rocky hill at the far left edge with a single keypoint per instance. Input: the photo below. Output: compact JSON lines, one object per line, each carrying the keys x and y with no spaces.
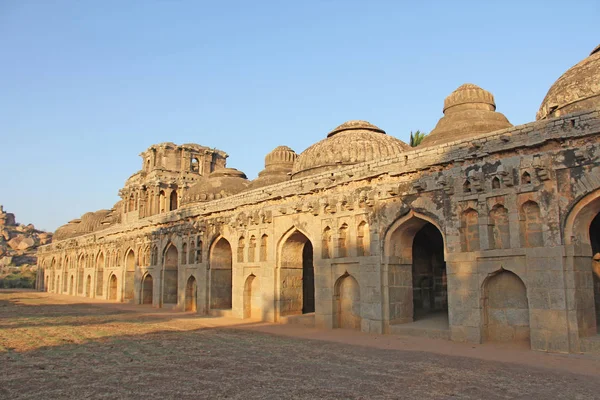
{"x":18,"y":247}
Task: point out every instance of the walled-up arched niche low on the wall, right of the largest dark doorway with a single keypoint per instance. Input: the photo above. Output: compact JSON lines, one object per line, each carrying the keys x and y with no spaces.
{"x":506,"y":309}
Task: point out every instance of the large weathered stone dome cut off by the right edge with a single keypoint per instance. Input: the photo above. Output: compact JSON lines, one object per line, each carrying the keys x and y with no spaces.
{"x":577,"y":89}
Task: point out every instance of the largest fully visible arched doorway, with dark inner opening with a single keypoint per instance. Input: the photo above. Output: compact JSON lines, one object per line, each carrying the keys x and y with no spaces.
{"x":416,"y":272}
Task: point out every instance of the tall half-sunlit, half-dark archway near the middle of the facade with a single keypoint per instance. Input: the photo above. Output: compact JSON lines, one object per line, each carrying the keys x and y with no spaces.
{"x":297,"y":276}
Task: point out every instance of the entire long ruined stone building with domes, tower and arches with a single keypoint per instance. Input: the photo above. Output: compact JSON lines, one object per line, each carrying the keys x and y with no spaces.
{"x":484,"y":232}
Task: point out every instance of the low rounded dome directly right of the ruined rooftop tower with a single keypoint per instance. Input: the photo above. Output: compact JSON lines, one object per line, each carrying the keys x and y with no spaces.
{"x":221,"y":183}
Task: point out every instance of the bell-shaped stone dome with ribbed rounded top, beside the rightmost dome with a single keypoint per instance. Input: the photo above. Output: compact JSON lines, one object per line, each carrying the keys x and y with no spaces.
{"x":468,"y":111}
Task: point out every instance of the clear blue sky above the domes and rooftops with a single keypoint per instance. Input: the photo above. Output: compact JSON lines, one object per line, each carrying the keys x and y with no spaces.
{"x":85,"y":86}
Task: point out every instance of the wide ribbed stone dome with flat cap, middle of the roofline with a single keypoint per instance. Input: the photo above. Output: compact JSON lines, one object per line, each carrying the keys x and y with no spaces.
{"x":351,"y":143}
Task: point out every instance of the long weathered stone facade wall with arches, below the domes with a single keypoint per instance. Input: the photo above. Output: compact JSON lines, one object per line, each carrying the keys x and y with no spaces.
{"x":505,"y":204}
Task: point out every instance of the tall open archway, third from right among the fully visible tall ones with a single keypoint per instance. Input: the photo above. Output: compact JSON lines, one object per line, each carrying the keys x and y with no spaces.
{"x":220,"y":275}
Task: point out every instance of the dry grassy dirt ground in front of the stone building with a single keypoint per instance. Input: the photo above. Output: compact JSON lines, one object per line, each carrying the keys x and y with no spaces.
{"x":59,"y":347}
